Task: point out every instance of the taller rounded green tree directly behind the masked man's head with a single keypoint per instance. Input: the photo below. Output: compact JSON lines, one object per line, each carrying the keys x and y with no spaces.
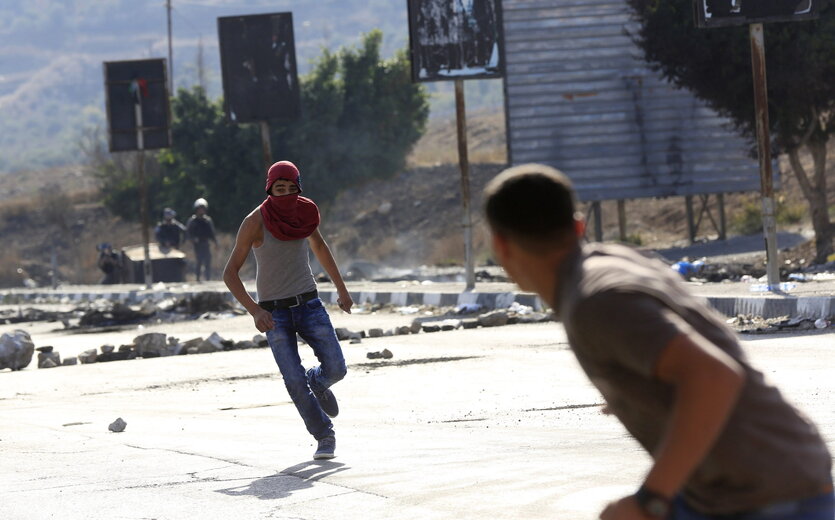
{"x":361,"y":115}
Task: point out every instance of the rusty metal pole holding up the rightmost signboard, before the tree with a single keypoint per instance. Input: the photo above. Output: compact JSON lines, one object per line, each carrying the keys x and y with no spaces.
{"x":764,"y":152}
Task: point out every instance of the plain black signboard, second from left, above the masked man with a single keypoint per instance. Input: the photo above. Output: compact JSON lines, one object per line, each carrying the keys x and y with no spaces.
{"x":258,"y":64}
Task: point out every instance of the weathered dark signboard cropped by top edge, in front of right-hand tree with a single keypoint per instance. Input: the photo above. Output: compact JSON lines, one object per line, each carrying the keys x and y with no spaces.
{"x":722,"y":13}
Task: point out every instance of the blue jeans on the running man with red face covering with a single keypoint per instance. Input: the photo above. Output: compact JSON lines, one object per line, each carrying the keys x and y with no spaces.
{"x":310,"y":320}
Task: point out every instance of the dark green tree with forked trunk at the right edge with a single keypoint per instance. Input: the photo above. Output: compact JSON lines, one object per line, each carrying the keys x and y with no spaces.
{"x":715,"y":64}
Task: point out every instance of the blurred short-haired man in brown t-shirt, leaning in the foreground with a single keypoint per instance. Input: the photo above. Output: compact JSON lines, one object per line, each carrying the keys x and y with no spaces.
{"x":725,"y":444}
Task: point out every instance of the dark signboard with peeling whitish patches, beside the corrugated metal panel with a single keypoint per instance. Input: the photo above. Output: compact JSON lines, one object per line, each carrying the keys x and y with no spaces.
{"x":455,"y":39}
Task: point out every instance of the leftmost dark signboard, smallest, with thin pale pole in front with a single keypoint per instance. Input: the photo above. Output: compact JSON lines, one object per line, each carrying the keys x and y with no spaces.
{"x":136,"y":94}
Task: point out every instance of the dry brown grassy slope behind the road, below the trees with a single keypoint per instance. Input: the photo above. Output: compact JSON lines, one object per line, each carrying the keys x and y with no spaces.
{"x":412,"y":219}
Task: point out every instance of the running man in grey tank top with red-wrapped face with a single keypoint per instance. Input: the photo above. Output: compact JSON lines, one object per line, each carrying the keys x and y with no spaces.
{"x":280,"y":231}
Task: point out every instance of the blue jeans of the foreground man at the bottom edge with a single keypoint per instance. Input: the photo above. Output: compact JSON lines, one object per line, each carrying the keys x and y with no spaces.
{"x":821,"y":507}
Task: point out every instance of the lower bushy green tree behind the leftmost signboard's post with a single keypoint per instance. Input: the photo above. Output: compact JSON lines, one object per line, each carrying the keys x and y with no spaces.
{"x":208,"y":158}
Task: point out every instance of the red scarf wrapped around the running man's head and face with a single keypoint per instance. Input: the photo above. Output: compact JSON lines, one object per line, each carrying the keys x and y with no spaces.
{"x":289,"y":217}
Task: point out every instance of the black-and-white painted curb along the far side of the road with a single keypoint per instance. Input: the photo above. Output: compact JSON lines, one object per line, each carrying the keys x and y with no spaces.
{"x":812,"y":307}
